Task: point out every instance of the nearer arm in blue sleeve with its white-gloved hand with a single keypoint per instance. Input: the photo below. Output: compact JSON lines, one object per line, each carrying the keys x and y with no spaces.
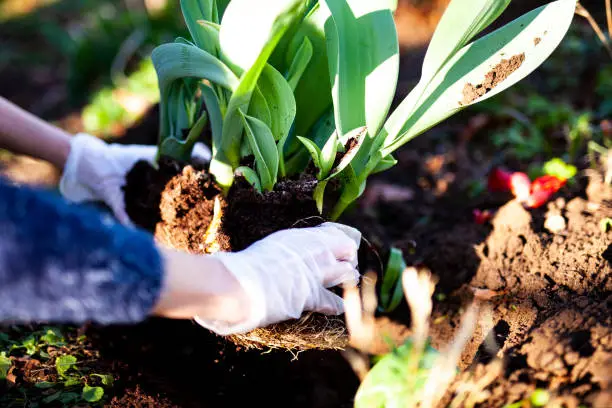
{"x":66,"y":263}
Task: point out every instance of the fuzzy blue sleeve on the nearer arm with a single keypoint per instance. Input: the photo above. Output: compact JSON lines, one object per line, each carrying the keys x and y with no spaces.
{"x":66,"y":263}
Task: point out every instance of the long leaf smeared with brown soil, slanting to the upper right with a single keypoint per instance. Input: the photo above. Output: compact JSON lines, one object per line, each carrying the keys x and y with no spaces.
{"x":510,"y":47}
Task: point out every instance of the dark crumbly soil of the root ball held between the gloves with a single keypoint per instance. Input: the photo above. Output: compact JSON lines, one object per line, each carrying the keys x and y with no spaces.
{"x":176,"y":203}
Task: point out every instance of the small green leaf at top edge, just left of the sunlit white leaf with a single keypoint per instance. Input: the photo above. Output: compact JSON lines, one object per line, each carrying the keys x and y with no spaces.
{"x":196,"y":11}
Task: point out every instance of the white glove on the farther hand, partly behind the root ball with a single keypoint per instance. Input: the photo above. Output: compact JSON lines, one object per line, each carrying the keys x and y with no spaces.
{"x":96,"y":170}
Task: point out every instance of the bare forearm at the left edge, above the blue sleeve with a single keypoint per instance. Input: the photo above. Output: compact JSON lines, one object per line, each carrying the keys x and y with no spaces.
{"x":23,"y":133}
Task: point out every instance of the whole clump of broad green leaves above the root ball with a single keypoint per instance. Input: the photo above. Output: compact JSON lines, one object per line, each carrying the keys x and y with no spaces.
{"x":289,"y":82}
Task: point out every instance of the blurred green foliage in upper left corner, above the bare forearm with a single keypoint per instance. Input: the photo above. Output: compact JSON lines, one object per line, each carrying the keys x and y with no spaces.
{"x":88,"y":58}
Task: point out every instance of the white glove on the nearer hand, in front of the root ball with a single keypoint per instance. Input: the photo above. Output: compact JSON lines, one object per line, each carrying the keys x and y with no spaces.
{"x":289,"y":272}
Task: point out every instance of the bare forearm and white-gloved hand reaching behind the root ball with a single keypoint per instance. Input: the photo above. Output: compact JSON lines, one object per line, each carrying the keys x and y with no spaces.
{"x":92,"y":170}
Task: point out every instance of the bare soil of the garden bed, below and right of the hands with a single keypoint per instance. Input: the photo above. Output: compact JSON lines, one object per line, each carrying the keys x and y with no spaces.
{"x":549,"y":295}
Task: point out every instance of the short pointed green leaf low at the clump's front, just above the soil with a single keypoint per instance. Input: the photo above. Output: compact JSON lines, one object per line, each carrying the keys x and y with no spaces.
{"x":263,"y":146}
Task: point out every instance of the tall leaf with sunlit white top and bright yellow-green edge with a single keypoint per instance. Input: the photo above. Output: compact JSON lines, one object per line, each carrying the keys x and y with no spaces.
{"x":257,"y":46}
